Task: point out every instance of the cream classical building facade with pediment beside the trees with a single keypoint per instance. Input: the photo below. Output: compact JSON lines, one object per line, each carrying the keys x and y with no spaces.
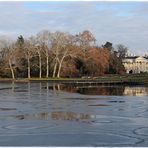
{"x":136,"y":64}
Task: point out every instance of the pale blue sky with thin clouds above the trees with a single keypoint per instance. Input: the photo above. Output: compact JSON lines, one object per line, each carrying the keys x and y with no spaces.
{"x":120,"y":22}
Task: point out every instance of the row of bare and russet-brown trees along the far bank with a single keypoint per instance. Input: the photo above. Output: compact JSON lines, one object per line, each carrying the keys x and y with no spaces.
{"x":59,"y":54}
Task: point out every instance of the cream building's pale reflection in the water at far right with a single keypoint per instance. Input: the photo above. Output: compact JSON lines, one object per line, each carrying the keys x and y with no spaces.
{"x":136,"y":91}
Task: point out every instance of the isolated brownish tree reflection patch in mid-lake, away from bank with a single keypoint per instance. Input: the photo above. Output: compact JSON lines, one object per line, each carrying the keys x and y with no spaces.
{"x":72,"y":116}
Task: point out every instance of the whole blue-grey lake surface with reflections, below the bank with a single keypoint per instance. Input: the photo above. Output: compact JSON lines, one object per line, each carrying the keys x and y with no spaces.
{"x":42,"y":114}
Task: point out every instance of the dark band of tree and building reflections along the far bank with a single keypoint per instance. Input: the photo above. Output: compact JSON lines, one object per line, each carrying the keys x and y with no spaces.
{"x":100,"y":89}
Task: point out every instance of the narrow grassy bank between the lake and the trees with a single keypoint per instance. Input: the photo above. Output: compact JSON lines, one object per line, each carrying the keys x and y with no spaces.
{"x":128,"y":78}
